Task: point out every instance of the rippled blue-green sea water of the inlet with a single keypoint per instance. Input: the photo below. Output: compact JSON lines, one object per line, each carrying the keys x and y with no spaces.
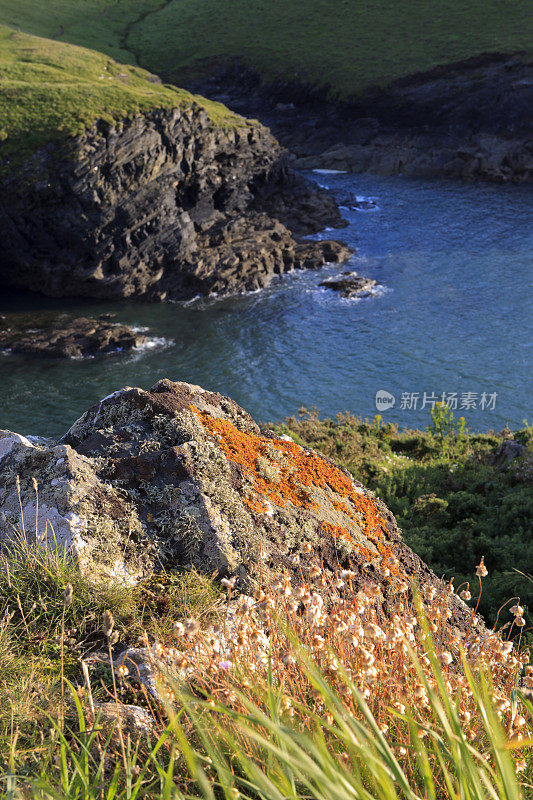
{"x":455,"y":262}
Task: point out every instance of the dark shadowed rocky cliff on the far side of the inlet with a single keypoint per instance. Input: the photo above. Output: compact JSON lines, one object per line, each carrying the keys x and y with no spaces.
{"x":471,"y":119}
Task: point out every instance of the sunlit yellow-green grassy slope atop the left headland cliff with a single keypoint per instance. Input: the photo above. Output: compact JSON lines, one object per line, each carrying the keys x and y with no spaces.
{"x":49,"y":90}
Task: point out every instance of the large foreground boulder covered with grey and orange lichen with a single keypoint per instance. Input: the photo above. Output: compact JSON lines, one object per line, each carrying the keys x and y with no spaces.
{"x":182,"y":476}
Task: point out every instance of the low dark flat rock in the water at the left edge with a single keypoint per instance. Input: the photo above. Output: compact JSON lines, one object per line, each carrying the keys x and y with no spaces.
{"x":74,"y":338}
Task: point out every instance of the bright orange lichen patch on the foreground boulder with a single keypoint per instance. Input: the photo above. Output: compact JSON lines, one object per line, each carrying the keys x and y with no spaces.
{"x":295,"y":478}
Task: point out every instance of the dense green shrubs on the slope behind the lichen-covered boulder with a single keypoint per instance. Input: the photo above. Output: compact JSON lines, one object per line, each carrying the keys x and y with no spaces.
{"x":453,"y":498}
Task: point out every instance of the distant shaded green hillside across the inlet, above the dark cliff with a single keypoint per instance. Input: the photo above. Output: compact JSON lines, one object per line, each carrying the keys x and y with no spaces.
{"x":348,"y":44}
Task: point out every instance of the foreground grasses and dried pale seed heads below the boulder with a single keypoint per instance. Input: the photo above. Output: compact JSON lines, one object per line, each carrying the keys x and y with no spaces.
{"x":291,"y":693}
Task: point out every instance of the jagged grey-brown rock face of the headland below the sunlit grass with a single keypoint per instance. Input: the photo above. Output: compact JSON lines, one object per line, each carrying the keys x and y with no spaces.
{"x":166,"y":206}
